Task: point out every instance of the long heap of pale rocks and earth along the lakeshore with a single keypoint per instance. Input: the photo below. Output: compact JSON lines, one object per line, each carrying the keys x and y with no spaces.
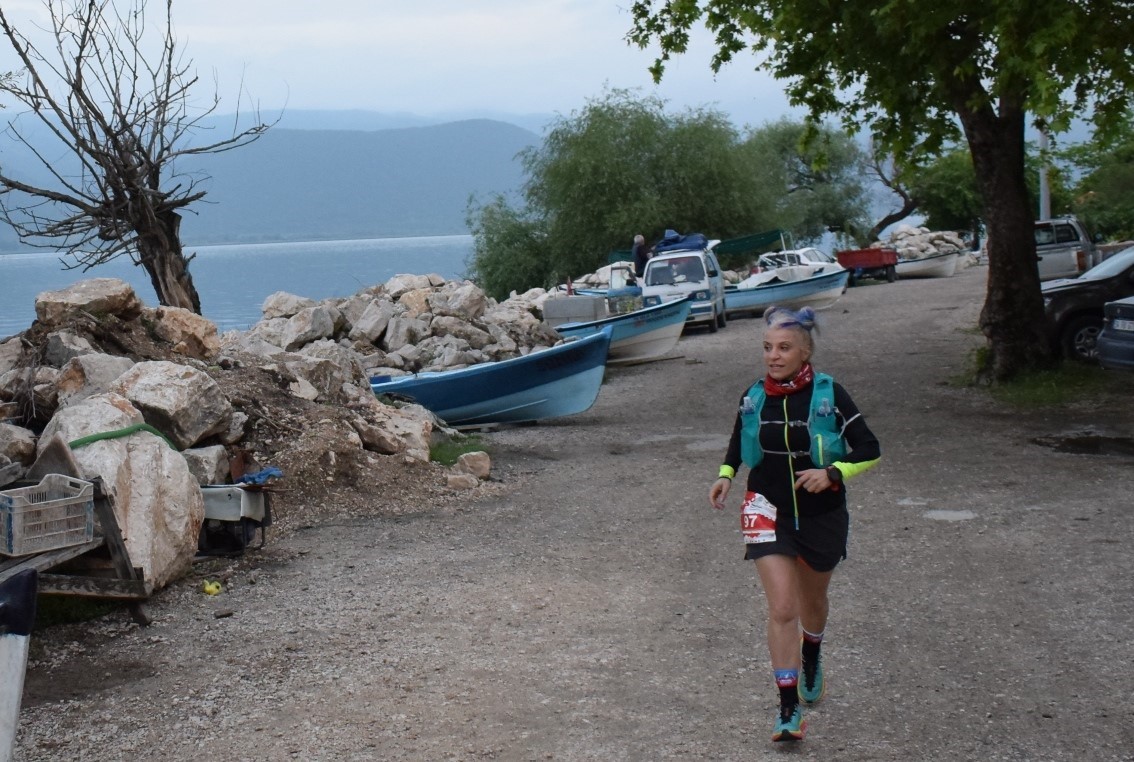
{"x":98,"y":361}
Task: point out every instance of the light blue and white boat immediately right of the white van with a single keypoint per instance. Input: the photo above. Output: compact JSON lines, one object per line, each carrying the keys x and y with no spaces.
{"x":796,"y":287}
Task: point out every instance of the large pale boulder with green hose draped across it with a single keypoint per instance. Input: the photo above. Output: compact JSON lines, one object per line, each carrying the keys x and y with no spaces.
{"x":157,"y":501}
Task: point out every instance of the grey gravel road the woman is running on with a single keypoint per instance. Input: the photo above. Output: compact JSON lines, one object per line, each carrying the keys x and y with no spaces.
{"x":594,"y":607}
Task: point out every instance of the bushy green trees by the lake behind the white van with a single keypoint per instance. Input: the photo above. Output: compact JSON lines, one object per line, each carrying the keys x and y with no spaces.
{"x":623,"y":166}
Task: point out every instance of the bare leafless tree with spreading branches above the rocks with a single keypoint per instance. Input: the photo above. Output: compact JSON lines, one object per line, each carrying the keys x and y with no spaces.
{"x":116,"y":96}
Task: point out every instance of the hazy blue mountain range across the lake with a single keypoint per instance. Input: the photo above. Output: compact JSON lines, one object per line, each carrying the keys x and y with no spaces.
{"x":341,"y":175}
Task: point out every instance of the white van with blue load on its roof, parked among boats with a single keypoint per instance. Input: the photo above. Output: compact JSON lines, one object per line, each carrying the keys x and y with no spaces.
{"x":696,"y":274}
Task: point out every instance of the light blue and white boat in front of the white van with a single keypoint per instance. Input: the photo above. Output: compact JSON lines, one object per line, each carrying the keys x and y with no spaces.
{"x":638,"y":336}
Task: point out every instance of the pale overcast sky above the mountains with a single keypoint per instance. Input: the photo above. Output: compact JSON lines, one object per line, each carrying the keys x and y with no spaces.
{"x":443,"y":57}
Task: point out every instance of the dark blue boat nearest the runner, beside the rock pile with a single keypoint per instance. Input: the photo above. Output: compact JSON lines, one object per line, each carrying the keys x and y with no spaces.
{"x":549,"y":384}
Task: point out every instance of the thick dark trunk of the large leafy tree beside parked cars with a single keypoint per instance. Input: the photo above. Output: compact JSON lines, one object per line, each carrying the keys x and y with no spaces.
{"x":1013,"y":315}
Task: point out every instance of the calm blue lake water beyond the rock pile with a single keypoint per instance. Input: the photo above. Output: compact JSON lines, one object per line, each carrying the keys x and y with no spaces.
{"x":234,"y":281}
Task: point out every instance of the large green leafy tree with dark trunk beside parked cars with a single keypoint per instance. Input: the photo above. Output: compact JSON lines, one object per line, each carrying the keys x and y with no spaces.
{"x":912,"y":74}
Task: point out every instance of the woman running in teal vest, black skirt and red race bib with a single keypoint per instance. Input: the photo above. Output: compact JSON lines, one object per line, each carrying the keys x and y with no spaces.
{"x":802,"y":438}
